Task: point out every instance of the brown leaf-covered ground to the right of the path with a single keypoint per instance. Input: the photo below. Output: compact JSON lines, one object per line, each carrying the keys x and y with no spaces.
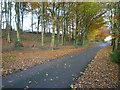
{"x":100,"y":73}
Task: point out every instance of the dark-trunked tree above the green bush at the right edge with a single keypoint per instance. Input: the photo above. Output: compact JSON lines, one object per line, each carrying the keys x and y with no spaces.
{"x":116,"y":26}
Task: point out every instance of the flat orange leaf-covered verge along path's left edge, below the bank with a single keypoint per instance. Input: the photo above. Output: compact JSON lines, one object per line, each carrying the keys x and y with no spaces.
{"x":18,"y":60}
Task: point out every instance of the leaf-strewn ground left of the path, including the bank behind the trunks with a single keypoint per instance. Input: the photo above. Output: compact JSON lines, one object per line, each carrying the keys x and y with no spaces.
{"x":31,"y":54}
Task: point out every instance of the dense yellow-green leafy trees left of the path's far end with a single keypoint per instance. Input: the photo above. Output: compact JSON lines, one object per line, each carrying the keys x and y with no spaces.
{"x":84,"y":18}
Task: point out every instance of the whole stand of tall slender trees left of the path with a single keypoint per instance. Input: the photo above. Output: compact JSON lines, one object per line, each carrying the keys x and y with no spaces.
{"x":70,"y":21}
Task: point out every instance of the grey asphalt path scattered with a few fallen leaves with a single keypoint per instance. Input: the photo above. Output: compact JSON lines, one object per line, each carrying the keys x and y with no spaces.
{"x":59,"y":73}
